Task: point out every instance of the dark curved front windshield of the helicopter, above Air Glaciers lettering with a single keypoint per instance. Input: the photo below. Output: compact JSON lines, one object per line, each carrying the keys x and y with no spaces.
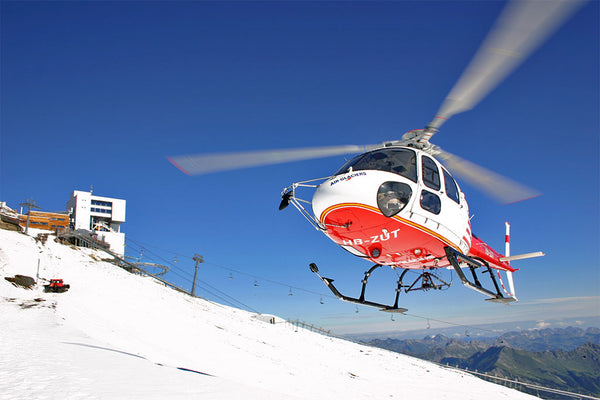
{"x":400,"y":161}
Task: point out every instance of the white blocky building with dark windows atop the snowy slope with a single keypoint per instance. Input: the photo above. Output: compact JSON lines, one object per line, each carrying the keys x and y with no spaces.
{"x":102,"y":215}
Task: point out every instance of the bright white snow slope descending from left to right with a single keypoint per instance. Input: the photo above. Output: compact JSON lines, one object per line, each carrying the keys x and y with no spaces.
{"x":118,"y":335}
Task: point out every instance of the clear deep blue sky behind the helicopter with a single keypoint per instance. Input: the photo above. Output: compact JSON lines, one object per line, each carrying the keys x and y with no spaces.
{"x":99,"y":93}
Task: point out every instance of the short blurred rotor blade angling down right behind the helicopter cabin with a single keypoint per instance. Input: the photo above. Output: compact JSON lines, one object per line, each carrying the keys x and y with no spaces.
{"x":497,"y":186}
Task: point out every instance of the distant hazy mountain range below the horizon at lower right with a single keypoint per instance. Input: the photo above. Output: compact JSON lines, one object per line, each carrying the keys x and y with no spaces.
{"x":562,"y":358}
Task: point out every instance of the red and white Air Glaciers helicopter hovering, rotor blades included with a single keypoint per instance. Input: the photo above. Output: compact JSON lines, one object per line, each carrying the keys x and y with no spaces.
{"x":396,"y":204}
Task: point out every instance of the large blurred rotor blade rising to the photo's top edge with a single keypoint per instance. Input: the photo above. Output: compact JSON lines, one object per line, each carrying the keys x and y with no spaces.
{"x":520,"y":29}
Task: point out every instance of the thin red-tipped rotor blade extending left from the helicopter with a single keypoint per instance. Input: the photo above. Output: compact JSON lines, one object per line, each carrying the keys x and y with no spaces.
{"x":207,"y":163}
